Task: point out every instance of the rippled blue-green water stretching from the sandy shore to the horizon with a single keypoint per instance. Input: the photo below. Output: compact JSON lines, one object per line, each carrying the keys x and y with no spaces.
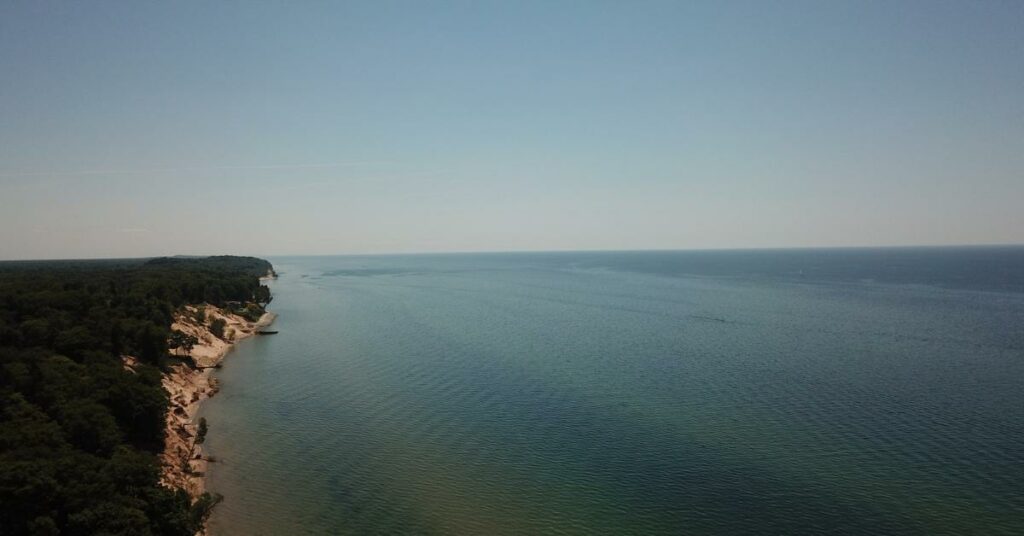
{"x":846,"y":392}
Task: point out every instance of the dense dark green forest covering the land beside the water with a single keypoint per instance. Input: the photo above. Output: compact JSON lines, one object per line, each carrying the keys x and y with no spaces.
{"x":80,"y":434}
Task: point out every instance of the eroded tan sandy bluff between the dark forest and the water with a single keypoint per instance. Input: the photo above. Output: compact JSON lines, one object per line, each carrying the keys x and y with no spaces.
{"x":184,"y":465}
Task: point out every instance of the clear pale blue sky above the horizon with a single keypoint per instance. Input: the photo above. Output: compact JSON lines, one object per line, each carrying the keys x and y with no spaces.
{"x":138,"y":129}
